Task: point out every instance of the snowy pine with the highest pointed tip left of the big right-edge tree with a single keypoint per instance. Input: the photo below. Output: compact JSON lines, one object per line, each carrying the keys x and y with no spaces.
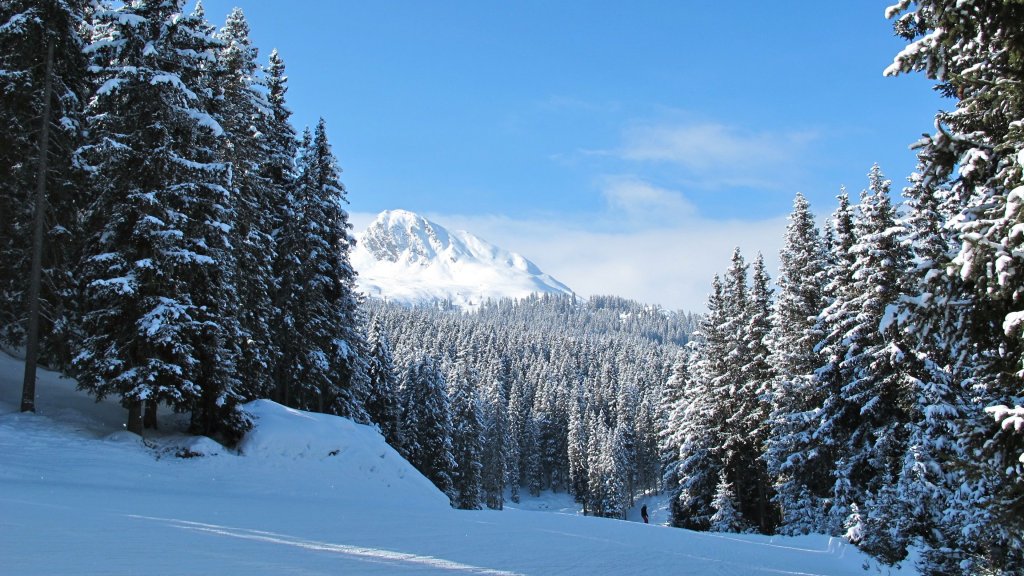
{"x":865,"y":414}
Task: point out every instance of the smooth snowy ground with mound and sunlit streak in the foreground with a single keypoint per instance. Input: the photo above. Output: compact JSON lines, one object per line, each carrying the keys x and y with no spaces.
{"x":309,"y":496}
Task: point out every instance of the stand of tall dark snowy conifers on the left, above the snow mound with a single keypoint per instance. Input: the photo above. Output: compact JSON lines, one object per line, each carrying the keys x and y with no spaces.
{"x":196,"y":248}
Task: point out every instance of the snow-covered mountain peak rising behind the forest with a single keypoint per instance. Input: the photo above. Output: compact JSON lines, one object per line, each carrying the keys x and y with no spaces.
{"x":403,"y":257}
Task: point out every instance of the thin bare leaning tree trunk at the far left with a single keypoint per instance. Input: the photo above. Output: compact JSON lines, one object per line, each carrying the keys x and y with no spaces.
{"x":32,"y":347}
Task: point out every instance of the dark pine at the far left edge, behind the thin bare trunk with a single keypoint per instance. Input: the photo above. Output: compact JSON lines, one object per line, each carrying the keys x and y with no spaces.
{"x":27,"y":29}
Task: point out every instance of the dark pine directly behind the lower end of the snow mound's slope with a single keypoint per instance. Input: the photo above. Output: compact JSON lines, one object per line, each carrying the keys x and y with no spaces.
{"x":426,"y":420}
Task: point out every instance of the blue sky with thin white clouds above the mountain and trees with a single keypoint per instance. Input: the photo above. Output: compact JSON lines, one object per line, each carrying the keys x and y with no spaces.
{"x":625,"y":147}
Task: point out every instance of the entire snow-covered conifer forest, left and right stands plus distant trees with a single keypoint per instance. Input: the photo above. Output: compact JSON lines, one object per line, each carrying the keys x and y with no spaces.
{"x":169,"y":239}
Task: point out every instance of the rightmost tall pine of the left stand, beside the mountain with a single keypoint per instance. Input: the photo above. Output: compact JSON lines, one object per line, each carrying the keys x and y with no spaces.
{"x":324,"y":354}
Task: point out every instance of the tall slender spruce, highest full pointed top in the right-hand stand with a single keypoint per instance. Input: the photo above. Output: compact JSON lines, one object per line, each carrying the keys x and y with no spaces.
{"x":879,"y":386}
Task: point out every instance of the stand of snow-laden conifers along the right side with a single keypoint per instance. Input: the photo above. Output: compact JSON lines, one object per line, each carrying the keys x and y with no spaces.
{"x":878,"y":393}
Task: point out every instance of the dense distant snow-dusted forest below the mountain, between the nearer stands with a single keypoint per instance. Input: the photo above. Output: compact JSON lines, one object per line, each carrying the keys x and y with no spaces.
{"x":549,"y":393}
